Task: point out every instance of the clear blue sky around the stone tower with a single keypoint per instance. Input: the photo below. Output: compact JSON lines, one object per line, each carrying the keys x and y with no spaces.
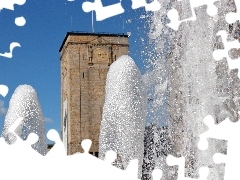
{"x":37,"y":63}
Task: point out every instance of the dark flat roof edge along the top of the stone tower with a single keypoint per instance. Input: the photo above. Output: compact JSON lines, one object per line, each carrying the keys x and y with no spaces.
{"x":83,"y":33}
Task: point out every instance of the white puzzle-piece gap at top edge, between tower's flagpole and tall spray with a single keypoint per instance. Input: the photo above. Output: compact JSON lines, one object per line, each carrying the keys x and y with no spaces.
{"x":153,"y":6}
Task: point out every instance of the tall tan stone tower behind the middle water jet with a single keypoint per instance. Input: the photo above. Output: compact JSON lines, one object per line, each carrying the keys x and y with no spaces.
{"x":85,"y":60}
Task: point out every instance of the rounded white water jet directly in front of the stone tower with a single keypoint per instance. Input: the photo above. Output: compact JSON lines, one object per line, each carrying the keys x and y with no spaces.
{"x":124,"y":113}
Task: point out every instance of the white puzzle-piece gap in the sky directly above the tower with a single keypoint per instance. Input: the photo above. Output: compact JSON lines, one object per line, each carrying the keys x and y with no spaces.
{"x":103,"y":12}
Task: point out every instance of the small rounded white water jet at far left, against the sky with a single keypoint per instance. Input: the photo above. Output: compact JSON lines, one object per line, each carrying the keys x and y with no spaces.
{"x":24,"y":103}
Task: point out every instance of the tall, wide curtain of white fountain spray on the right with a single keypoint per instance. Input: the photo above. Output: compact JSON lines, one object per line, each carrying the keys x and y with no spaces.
{"x":196,"y":85}
